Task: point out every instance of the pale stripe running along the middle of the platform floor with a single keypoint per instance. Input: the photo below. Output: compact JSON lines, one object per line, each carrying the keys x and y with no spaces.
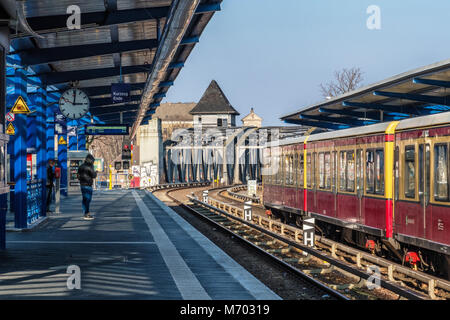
{"x":185,"y":280}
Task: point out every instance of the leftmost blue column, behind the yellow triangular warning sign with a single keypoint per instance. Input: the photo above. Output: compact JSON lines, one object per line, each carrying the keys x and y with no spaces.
{"x":19,"y":156}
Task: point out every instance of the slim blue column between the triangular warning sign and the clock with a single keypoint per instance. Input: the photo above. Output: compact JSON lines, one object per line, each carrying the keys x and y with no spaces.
{"x":41,"y":145}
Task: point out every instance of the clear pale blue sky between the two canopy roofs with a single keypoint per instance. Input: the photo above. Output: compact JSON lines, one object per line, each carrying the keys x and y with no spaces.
{"x":272,"y":55}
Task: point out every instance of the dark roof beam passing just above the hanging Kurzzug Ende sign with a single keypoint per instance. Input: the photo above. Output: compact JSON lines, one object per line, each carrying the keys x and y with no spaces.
{"x":51,"y":78}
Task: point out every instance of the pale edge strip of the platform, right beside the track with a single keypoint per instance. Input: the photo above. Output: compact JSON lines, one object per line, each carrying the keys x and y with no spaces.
{"x":256,"y":288}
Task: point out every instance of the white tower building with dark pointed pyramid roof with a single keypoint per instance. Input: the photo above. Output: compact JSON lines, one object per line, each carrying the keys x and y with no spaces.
{"x":214,"y":109}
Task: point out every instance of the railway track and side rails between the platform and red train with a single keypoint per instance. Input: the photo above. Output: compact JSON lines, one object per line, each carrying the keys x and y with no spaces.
{"x":335,"y":268}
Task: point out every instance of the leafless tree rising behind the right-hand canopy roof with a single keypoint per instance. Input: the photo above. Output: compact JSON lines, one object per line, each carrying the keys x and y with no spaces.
{"x":344,"y":81}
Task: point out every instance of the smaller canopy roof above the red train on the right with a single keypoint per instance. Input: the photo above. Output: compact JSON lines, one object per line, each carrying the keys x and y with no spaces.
{"x":419,"y":92}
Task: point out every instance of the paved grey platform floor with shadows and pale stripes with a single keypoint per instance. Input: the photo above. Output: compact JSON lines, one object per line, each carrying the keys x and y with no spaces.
{"x":136,"y":248}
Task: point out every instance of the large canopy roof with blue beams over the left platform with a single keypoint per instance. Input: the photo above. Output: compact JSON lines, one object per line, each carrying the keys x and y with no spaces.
{"x":142,"y":42}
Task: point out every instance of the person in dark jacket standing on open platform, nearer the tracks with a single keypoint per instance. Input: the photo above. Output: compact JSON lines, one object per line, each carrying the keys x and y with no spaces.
{"x":86,"y":176}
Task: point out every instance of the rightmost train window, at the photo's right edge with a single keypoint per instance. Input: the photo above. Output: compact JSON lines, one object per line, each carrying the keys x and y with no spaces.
{"x":440,"y":172}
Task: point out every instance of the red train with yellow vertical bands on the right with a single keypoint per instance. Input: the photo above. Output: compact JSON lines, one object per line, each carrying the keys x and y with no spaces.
{"x":384,"y":187}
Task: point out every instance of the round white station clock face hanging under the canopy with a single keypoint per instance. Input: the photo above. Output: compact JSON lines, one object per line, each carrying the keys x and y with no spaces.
{"x":74,"y":103}
